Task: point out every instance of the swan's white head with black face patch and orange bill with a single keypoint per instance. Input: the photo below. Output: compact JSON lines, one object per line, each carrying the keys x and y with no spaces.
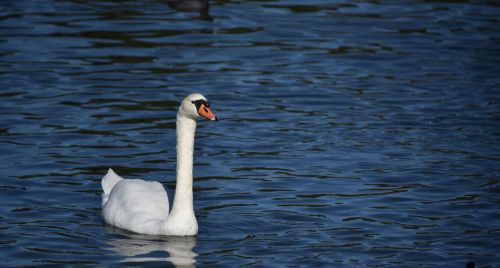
{"x":194,"y":106}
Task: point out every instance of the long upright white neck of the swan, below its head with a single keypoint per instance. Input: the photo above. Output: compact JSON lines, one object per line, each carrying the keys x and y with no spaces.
{"x":182,"y":218}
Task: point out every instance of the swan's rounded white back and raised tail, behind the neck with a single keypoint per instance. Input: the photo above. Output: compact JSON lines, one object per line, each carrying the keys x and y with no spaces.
{"x":137,"y":205}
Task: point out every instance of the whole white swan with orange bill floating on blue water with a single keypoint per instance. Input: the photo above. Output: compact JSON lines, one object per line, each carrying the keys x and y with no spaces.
{"x":142,"y":206}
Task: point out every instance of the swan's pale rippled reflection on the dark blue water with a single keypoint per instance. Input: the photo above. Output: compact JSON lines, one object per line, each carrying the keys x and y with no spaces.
{"x":147,"y":248}
